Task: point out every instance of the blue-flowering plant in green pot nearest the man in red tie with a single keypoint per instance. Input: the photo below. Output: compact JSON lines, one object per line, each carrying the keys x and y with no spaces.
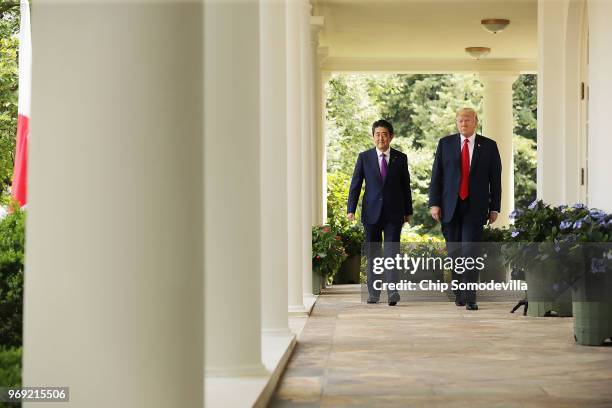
{"x":530,"y":249}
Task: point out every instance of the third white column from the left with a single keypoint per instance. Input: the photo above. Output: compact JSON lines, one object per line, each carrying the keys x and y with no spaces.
{"x":274,"y":259}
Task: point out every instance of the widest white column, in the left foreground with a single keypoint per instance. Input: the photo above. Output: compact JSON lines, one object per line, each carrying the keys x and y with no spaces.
{"x":113,"y":275}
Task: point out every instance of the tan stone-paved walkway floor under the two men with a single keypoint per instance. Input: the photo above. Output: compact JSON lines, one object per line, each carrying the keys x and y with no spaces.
{"x":434,"y":354}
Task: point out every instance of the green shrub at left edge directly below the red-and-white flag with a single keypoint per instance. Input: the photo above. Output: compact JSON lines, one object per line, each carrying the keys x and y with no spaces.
{"x":12,"y":237}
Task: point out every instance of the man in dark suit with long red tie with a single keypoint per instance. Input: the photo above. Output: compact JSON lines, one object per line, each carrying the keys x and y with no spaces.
{"x":465,"y":193}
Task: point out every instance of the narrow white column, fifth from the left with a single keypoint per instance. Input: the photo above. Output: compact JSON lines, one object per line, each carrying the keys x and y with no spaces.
{"x":307,"y":165}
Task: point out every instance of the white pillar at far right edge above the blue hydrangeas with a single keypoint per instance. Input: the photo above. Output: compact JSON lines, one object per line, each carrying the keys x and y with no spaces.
{"x":599,"y":140}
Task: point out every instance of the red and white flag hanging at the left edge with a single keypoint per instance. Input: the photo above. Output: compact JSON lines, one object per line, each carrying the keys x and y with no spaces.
{"x":20,"y":171}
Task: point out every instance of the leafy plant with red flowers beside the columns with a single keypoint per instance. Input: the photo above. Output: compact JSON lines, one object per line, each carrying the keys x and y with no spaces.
{"x":327,"y":255}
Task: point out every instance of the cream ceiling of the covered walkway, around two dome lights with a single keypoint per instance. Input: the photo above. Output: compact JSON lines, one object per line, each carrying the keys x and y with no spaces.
{"x":434,"y":29}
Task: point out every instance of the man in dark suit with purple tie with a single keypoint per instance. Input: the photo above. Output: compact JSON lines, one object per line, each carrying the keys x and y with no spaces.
{"x":387,"y":201}
